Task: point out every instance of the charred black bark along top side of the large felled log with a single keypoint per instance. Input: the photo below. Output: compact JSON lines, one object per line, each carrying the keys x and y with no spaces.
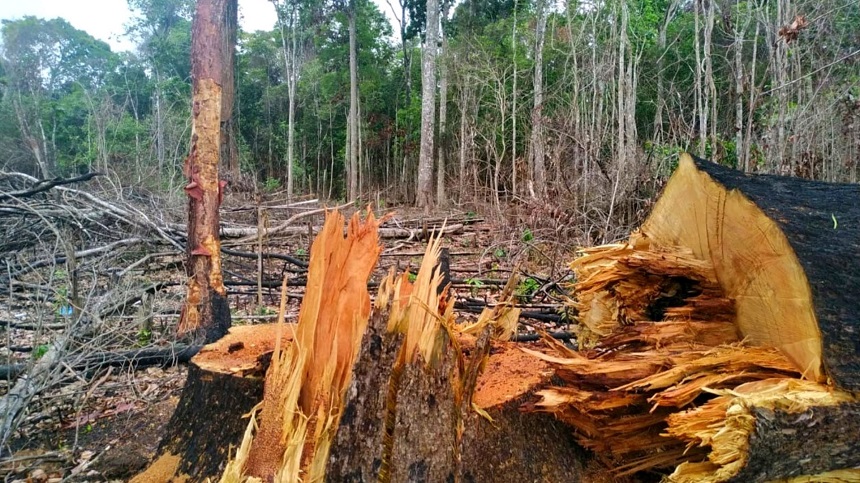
{"x":822,"y":224}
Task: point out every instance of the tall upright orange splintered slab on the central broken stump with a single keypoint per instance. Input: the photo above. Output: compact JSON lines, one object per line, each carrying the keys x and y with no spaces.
{"x":306,"y":383}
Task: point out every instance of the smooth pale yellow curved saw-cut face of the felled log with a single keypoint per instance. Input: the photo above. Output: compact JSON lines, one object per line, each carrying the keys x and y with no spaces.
{"x":753,"y":260}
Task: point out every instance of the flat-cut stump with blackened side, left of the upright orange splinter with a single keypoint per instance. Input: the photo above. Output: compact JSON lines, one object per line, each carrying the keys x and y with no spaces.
{"x":225,"y":382}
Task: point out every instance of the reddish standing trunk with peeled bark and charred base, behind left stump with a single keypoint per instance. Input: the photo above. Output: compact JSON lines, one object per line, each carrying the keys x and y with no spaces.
{"x":206,"y":315}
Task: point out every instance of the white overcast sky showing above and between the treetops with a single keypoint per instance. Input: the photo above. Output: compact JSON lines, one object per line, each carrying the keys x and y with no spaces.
{"x":105,"y":19}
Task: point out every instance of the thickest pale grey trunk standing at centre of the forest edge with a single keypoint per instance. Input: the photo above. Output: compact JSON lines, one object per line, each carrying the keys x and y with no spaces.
{"x":428,"y":106}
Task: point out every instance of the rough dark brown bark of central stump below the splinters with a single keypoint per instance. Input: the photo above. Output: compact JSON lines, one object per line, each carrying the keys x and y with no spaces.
{"x":515,"y":447}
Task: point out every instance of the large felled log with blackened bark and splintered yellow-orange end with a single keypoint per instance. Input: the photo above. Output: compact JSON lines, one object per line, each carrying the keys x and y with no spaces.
{"x":720,"y":340}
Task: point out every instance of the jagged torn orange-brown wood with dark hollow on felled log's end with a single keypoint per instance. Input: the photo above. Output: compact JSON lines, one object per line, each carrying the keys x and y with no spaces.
{"x":656,"y":336}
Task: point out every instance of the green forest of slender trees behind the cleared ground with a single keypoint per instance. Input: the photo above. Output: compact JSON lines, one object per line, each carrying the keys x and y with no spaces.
{"x":585,"y":103}
